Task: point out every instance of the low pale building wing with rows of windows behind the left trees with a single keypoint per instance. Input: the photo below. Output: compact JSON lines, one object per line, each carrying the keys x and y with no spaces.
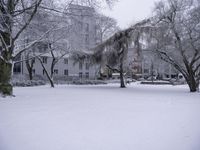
{"x":65,"y":69}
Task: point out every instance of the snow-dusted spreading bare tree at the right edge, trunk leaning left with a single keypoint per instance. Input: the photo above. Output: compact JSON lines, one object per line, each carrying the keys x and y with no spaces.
{"x":177,"y":37}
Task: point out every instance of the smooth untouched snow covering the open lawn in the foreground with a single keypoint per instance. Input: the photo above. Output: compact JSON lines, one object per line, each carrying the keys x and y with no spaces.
{"x":103,"y":117}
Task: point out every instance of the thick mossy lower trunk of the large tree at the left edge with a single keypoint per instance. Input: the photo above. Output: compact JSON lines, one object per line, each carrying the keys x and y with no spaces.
{"x":5,"y":76}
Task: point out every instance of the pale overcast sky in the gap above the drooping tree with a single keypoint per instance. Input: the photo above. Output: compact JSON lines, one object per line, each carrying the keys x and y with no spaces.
{"x":126,"y":12}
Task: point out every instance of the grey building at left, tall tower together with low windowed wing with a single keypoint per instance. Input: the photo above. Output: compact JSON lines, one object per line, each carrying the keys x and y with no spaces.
{"x":82,"y":36}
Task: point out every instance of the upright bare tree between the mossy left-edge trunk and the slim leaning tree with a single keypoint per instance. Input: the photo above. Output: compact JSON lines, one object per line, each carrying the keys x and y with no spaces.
{"x":43,"y":21}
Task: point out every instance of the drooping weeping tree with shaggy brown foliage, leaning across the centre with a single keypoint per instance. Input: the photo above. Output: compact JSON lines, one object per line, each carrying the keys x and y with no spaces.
{"x":113,"y":51}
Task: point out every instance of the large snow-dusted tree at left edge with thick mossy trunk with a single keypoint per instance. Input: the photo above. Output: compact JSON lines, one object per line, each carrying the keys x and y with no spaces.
{"x":12,"y":25}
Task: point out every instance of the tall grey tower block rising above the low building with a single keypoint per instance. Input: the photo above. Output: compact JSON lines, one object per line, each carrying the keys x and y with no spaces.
{"x":83,"y":27}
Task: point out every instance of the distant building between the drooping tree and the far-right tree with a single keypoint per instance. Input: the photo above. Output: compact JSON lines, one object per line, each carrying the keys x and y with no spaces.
{"x":146,"y":64}
